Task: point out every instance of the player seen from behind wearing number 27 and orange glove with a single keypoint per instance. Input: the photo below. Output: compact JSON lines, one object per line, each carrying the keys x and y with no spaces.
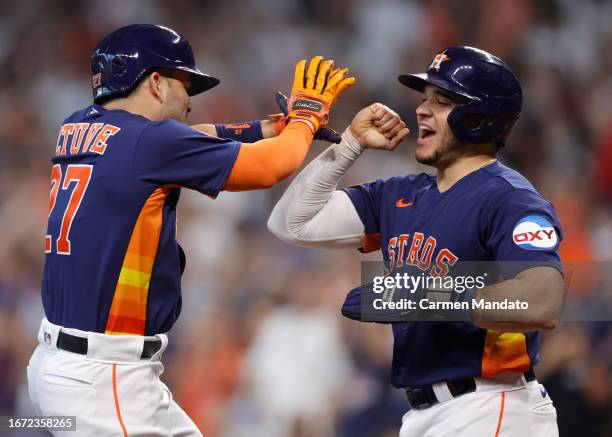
{"x":111,"y":282}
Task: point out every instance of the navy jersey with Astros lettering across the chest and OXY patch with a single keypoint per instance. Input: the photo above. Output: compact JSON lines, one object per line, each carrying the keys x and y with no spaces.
{"x":491,"y":214}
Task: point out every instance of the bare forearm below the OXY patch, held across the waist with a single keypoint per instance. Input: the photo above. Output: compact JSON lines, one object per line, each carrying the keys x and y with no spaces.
{"x":541,"y":288}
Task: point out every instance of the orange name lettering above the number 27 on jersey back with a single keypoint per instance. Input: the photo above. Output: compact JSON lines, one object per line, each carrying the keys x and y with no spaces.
{"x":75,"y":138}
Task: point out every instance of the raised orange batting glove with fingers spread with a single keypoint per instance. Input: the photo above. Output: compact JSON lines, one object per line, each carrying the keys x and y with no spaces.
{"x":316,"y":87}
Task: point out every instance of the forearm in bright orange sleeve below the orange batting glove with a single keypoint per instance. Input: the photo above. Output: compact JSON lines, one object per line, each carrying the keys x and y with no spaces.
{"x":266,"y":162}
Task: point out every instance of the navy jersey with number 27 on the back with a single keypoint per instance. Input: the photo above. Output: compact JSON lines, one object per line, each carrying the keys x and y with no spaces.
{"x":112,"y":262}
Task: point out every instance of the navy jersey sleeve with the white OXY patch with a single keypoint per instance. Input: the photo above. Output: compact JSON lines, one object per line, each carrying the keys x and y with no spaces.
{"x":524,"y":232}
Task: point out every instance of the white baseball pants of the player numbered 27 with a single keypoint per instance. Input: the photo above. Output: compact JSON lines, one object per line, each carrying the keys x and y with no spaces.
{"x":111,"y":391}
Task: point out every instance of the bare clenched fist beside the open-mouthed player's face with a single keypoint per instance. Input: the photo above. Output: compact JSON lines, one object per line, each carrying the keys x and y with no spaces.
{"x":378,"y":127}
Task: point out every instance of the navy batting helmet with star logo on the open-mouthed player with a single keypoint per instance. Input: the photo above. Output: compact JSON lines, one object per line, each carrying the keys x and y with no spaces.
{"x":493,"y":93}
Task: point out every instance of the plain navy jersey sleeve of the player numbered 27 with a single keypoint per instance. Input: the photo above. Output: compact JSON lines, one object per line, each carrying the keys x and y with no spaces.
{"x":170,"y":152}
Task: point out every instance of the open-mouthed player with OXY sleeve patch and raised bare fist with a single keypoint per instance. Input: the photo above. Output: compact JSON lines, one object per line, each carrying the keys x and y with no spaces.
{"x":461,"y":378}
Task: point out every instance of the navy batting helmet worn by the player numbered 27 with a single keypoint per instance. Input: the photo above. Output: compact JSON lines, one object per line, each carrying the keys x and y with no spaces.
{"x":126,"y":54}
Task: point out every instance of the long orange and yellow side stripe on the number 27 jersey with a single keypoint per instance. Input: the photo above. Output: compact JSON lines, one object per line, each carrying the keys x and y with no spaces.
{"x":129,"y":307}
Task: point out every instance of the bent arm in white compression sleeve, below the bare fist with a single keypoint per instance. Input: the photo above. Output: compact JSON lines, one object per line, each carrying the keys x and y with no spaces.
{"x":311,"y":212}
